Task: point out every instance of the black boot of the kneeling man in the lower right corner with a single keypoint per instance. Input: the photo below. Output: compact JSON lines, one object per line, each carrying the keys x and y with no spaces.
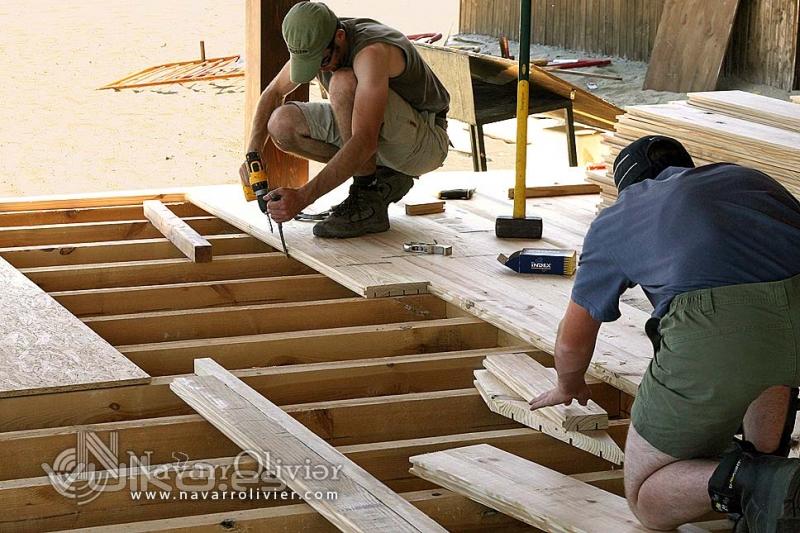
{"x":764,"y":489}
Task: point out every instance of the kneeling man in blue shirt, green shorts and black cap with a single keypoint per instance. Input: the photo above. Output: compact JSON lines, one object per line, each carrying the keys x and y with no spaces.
{"x":716,"y":249}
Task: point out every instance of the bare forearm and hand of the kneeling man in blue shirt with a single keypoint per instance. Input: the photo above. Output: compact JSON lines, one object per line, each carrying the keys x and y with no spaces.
{"x":575,"y":342}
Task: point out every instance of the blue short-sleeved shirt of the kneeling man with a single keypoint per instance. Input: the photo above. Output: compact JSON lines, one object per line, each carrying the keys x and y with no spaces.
{"x":688,"y":229}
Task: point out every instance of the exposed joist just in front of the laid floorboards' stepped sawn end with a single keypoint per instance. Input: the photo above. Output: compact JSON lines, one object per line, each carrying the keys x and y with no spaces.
{"x":257,"y":319}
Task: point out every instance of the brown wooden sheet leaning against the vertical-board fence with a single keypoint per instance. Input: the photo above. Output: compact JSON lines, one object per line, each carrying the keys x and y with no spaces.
{"x":690,"y":45}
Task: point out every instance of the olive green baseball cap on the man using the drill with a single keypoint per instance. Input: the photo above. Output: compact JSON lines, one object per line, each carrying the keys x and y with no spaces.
{"x":308,"y":29}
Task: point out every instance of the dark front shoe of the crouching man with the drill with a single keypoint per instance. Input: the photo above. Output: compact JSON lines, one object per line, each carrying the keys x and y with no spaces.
{"x":363,"y":211}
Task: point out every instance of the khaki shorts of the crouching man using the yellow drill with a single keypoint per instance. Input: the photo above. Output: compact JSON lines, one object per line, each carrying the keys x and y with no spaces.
{"x":409,"y":142}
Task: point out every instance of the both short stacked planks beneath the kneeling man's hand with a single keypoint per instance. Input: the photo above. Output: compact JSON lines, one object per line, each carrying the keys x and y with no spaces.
{"x":510,"y":381}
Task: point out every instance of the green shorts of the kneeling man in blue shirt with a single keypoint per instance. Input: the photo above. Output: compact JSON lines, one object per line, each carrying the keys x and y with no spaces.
{"x":720,"y":348}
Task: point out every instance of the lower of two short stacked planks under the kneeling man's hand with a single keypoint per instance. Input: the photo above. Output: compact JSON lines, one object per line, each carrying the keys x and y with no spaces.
{"x":502,"y":400}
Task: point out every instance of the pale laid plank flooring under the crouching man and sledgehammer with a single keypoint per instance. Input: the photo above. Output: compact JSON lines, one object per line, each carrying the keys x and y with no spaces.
{"x":529,"y":307}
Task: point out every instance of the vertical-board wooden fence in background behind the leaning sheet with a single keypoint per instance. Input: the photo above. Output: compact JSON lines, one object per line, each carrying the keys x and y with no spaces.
{"x":763,"y":46}
